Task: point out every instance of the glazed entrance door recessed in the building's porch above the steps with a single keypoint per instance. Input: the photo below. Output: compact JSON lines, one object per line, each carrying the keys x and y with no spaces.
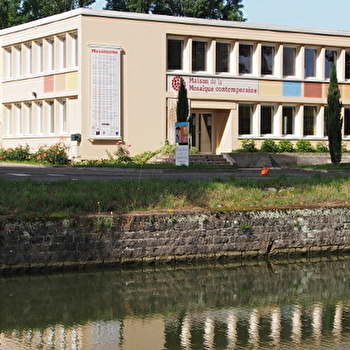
{"x":202,"y":132}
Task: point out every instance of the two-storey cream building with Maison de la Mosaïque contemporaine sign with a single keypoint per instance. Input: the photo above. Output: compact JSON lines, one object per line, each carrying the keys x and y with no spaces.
{"x":93,"y":78}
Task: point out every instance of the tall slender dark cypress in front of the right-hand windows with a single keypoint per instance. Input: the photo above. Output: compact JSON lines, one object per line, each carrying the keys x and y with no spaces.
{"x":334,"y":119}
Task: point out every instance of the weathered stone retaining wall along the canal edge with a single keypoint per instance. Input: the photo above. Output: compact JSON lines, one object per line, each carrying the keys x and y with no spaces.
{"x":160,"y":238}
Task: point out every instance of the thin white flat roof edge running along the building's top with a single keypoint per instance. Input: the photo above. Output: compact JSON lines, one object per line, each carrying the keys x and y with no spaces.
{"x":170,"y":19}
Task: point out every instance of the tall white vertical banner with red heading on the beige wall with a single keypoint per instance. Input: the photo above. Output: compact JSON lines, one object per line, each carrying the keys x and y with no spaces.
{"x":105,"y":92}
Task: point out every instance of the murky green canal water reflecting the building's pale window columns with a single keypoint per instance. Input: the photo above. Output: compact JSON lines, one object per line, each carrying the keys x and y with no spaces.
{"x":302,"y":304}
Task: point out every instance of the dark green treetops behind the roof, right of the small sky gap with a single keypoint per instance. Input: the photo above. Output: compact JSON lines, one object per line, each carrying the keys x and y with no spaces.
{"x":214,"y":9}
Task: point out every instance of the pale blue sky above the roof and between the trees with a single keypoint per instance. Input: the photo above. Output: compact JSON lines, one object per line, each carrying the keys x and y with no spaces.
{"x":319,"y":14}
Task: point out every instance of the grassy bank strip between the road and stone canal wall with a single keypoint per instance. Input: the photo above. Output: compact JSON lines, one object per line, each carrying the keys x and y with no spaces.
{"x":65,"y":198}
